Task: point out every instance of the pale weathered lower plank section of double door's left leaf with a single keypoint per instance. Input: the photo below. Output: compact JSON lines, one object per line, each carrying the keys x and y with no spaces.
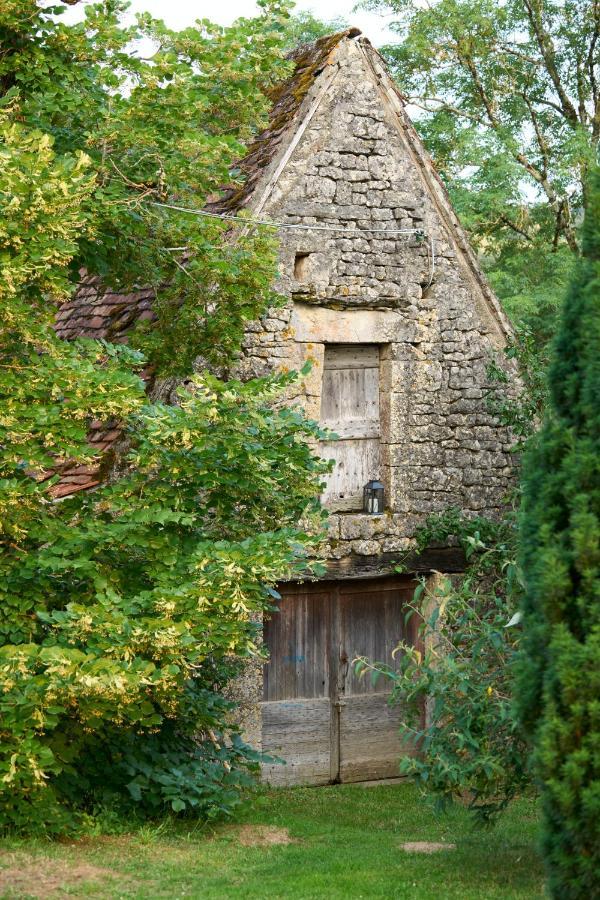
{"x":299,"y":732}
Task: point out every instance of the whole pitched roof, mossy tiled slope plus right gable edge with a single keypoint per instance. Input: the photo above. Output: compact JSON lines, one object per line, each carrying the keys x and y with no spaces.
{"x":97,"y":312}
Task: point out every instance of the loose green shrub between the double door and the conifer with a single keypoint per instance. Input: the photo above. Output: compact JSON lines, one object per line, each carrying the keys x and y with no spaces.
{"x":468,"y":744}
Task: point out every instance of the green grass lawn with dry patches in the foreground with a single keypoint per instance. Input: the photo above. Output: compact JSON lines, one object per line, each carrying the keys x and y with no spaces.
{"x":343,"y":841}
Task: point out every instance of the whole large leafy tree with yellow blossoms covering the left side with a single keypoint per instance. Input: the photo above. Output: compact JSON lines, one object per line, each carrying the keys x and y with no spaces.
{"x":124,"y":611}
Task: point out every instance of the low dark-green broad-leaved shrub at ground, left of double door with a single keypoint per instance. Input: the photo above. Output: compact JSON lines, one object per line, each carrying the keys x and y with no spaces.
{"x":195,"y":763}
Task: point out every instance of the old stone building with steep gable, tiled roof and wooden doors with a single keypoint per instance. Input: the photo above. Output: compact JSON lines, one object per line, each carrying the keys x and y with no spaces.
{"x":386,"y":298}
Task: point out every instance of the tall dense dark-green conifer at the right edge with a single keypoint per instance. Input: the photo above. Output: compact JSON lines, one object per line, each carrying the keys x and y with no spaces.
{"x":559,"y":685}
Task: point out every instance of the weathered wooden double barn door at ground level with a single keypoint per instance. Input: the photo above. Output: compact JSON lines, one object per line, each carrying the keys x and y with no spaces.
{"x":327,"y":723}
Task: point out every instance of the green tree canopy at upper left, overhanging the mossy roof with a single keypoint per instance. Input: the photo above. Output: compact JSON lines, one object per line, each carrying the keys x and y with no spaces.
{"x":168,"y":128}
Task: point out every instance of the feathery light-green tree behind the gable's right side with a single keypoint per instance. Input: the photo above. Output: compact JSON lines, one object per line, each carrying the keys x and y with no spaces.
{"x":511,"y":101}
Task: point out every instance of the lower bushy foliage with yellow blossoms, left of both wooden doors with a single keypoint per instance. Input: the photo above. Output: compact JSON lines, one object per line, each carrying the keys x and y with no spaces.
{"x":123,"y":610}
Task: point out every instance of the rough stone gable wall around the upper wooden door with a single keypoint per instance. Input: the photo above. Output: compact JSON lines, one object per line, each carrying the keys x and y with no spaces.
{"x":352,"y":170}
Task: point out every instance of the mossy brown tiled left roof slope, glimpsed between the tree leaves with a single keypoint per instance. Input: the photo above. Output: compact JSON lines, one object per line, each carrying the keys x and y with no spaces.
{"x":96,"y":312}
